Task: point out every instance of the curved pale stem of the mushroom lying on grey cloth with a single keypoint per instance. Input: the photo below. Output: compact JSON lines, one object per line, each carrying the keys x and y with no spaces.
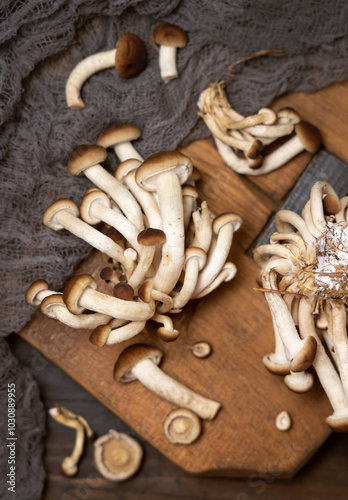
{"x":86,"y":68}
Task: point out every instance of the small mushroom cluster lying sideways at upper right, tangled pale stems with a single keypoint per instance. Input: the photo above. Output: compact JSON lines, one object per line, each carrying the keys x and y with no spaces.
{"x":241,"y":140}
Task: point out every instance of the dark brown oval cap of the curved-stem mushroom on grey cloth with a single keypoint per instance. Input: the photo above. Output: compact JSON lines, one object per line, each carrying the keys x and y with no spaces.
{"x":131,"y":56}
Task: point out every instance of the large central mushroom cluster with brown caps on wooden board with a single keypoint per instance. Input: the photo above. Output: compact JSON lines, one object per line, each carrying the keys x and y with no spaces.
{"x":164,"y":247}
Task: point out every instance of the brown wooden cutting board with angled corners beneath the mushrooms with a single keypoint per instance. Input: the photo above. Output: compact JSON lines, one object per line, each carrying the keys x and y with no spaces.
{"x":235,"y":319}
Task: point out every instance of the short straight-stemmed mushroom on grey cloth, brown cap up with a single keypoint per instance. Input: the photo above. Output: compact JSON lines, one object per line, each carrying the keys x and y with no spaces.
{"x":169,"y":37}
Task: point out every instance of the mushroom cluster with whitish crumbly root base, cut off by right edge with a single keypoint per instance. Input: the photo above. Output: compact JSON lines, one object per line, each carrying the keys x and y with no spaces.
{"x":304,"y":272}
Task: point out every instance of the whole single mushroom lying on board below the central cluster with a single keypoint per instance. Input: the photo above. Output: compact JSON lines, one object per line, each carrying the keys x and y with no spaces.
{"x":140,"y":362}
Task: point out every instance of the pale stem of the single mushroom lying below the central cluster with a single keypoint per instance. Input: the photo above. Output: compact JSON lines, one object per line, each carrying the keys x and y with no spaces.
{"x":173,"y":391}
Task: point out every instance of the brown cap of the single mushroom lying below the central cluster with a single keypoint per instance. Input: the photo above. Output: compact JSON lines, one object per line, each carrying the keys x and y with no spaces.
{"x":130,"y":356}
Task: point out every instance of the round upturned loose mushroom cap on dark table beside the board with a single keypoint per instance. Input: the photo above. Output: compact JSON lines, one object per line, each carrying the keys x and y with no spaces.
{"x":117,"y":456}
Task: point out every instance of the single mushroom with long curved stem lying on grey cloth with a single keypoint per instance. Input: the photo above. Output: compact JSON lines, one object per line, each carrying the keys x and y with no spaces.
{"x":129,"y":59}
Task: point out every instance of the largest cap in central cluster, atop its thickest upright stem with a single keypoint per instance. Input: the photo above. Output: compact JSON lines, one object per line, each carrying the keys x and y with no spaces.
{"x":159,"y":163}
